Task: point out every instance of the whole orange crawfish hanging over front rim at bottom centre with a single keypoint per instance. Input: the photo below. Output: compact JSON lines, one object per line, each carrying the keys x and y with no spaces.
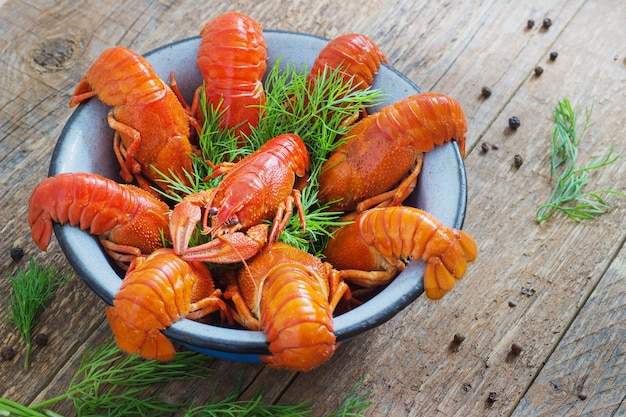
{"x":290,"y":295}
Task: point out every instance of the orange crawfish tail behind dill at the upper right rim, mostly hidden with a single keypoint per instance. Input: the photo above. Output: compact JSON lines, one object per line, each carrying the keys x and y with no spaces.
{"x":356,"y":55}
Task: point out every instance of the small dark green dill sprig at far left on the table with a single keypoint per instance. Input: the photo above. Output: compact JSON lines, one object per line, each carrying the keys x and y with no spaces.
{"x":30,"y":292}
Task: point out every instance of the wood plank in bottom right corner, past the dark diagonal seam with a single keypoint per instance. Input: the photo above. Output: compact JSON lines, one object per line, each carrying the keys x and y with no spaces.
{"x":586,"y":375}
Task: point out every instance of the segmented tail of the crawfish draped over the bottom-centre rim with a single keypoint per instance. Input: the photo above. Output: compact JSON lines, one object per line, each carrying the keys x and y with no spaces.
{"x":296,"y":319}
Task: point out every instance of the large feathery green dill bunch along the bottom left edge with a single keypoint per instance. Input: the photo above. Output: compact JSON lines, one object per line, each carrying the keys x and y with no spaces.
{"x":110,"y":382}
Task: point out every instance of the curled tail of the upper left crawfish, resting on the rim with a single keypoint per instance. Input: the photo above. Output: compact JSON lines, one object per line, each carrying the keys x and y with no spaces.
{"x":120,"y":77}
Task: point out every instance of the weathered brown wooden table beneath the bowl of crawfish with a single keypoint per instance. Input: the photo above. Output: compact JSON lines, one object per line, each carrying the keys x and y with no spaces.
{"x":572,"y":326}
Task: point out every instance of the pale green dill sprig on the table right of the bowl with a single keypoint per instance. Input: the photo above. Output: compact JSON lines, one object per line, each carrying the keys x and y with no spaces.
{"x":568,"y":194}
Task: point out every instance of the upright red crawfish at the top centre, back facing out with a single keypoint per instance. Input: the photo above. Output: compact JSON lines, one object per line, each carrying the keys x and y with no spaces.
{"x":232,"y":60}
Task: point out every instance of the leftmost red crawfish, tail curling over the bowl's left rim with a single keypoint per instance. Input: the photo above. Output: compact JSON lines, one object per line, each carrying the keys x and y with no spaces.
{"x":128,"y":220}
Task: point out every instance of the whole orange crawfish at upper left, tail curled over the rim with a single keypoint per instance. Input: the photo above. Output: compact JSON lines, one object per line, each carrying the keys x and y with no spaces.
{"x":151,"y":125}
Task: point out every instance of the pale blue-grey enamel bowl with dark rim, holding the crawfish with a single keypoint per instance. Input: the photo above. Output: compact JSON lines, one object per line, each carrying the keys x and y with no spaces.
{"x":85,"y":145}
